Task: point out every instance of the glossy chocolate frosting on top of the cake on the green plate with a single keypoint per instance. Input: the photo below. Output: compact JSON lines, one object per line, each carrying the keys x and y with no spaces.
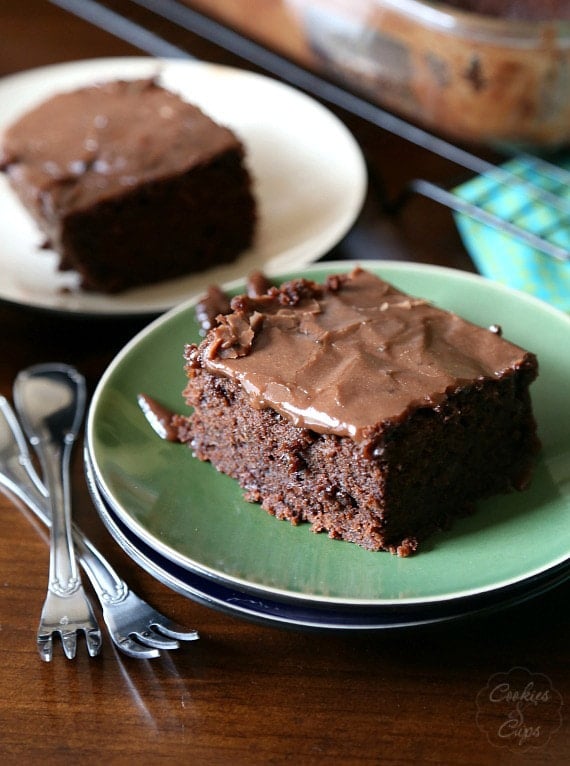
{"x":345,"y":358}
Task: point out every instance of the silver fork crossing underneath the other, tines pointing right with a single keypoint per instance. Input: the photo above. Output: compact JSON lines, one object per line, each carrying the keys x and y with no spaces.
{"x":137,"y":629}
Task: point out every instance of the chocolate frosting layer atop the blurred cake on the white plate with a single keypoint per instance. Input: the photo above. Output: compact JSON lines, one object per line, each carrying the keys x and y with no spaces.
{"x":98,"y":142}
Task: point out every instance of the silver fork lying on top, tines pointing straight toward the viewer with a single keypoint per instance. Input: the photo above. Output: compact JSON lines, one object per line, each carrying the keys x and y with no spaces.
{"x":51,"y":401}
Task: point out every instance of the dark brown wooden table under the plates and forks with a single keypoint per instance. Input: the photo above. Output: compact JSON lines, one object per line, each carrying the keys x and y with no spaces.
{"x":247,"y":693}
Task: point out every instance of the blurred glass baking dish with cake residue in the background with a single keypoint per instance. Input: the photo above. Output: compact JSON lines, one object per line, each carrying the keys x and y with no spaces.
{"x":472,"y":77}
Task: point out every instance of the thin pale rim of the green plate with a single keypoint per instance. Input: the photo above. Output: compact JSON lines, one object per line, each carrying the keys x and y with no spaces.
{"x":326,"y":266}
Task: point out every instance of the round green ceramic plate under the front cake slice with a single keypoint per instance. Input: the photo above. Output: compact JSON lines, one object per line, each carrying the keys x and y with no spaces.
{"x":196,"y":517}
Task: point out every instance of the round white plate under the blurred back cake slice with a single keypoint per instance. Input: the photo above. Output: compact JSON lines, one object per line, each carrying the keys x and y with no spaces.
{"x":310,"y":180}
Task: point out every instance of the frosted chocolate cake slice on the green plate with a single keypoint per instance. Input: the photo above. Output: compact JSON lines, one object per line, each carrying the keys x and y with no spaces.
{"x":375,"y":416}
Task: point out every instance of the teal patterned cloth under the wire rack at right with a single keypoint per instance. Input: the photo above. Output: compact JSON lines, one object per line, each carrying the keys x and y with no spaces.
{"x":534,"y":195}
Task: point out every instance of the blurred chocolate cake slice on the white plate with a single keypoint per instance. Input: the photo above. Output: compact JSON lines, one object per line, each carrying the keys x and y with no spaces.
{"x":130,"y":184}
